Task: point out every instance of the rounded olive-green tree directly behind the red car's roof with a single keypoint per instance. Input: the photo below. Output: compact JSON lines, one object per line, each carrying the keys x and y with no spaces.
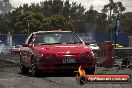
{"x":56,"y":22}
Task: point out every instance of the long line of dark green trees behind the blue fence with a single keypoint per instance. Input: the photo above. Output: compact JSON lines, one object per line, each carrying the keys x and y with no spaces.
{"x":60,"y":14}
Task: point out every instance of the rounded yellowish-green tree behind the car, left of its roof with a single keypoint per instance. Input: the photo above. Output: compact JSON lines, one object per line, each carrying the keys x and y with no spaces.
{"x":28,"y":22}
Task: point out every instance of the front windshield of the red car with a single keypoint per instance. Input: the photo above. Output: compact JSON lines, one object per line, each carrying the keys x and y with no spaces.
{"x":57,"y":38}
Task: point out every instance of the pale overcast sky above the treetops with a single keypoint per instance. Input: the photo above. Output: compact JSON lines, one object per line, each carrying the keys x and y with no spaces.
{"x":98,"y":4}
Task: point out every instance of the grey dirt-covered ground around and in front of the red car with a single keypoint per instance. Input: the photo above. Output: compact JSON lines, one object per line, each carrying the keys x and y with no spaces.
{"x":10,"y":77}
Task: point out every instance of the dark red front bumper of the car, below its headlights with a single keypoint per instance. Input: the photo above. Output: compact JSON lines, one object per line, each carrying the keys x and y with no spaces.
{"x":58,"y":65}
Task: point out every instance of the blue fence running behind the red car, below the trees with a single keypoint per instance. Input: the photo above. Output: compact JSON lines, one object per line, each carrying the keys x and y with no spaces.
{"x":122,"y":38}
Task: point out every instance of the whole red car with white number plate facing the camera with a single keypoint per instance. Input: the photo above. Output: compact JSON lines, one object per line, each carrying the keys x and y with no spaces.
{"x":51,"y":51}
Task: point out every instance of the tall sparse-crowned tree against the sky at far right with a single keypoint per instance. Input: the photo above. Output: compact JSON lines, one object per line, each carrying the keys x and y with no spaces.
{"x":115,"y":9}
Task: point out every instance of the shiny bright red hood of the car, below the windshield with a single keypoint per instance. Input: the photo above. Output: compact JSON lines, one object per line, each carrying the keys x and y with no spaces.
{"x":62,"y":48}
